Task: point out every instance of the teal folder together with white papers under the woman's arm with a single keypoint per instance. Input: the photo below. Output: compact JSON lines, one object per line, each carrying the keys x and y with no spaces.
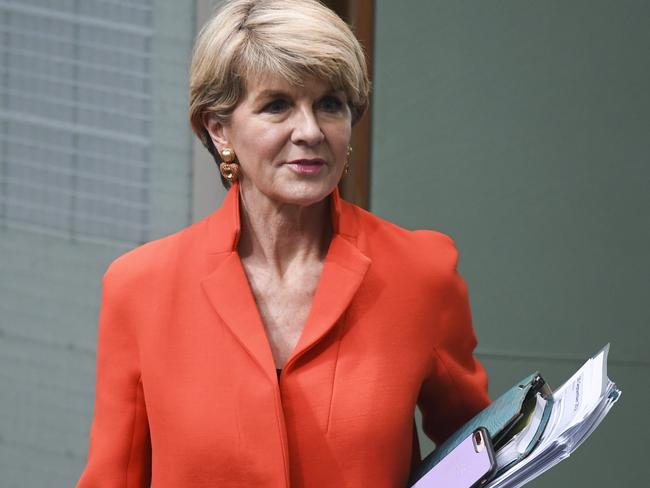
{"x":533,"y":428}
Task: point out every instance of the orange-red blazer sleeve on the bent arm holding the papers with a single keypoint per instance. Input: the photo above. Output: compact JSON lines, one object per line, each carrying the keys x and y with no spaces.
{"x":456,"y":388}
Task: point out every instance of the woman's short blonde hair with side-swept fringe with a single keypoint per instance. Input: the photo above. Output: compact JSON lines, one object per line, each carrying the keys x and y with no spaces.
{"x":290,"y":38}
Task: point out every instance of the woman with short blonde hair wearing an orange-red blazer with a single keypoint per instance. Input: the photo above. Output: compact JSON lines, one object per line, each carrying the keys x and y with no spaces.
{"x":363,"y":318}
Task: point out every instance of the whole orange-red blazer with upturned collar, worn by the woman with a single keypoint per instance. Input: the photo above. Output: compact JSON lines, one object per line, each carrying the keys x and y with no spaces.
{"x":187,"y":394}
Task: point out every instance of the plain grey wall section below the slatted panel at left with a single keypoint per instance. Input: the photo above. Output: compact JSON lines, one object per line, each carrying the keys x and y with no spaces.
{"x":49,"y":297}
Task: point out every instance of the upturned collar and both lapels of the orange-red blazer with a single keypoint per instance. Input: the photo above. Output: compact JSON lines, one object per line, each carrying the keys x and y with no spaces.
{"x":230,"y":294}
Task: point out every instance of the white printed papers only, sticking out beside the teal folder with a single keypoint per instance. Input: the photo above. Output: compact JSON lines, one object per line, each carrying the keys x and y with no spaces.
{"x":578,"y":407}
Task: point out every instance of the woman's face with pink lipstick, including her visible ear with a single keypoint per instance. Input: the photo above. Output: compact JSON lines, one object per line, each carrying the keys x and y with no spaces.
{"x":291,"y":141}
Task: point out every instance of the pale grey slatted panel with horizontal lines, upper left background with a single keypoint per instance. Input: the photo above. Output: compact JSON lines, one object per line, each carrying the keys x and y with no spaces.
{"x":75,"y":115}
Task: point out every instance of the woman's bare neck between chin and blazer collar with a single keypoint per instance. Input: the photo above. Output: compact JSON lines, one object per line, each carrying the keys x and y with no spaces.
{"x":279,"y":236}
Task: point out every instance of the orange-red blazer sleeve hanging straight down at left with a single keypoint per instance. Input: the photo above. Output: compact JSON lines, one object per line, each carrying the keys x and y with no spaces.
{"x":119,"y":455}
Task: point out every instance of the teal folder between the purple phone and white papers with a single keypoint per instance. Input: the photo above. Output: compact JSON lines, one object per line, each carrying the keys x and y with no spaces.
{"x":503,"y":419}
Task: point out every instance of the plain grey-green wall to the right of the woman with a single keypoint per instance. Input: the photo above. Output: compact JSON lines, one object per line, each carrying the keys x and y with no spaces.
{"x":521,"y":129}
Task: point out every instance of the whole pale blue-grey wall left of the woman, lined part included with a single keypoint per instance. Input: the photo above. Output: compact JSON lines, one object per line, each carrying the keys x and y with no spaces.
{"x":95,"y":157}
